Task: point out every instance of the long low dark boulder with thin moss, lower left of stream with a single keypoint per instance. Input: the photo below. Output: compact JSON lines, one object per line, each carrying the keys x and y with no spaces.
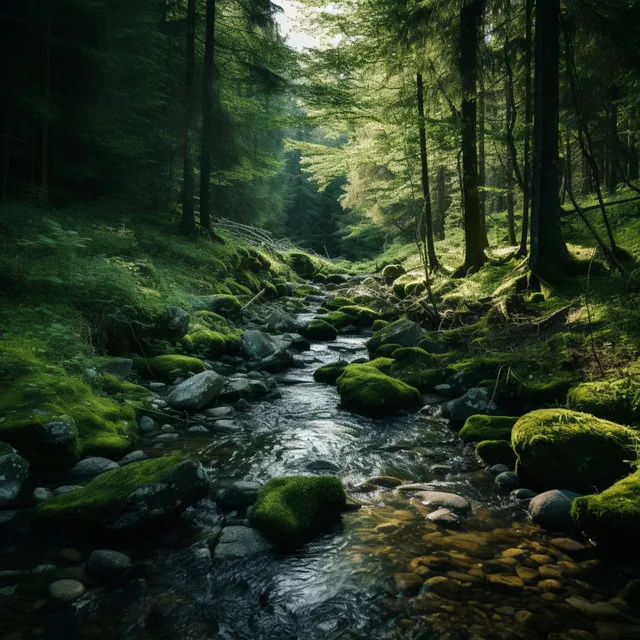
{"x":139,"y":495}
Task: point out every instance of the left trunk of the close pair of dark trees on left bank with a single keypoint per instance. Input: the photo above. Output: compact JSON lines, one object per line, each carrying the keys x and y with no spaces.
{"x":188,"y":214}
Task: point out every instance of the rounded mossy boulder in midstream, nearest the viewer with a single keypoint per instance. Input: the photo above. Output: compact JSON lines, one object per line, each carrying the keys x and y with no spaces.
{"x":289,"y":511}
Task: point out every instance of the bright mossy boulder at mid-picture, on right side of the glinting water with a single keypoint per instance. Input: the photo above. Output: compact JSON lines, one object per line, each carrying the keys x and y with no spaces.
{"x":366,"y":390}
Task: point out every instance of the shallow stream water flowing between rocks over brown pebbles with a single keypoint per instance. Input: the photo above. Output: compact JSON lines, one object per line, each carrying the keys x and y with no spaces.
{"x":342,"y":586}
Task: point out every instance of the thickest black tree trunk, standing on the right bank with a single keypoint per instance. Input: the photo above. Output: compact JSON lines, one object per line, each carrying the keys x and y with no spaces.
{"x":548,"y":248}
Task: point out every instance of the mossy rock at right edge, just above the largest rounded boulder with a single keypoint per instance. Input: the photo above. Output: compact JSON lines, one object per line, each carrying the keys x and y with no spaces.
{"x":617,"y":400}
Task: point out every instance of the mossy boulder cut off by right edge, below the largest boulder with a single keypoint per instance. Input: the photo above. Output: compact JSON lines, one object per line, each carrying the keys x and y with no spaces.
{"x":612,"y":518}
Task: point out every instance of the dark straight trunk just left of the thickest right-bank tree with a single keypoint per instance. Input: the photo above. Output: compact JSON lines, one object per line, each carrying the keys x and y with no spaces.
{"x":470,"y":17}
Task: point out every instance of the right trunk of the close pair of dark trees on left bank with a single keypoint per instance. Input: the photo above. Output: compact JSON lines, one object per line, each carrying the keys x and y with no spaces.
{"x":207,"y":116}
